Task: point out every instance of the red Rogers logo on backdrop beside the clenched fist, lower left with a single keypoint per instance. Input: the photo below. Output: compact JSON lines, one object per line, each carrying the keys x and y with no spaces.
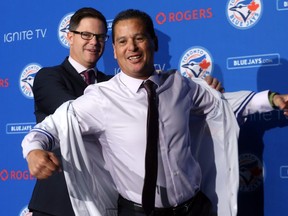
{"x":15,"y":175}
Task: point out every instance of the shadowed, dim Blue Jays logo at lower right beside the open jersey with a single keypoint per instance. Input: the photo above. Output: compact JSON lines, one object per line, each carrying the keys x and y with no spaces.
{"x":251,"y":172}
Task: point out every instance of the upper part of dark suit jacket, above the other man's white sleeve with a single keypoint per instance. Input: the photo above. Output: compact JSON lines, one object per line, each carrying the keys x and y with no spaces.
{"x":55,"y":85}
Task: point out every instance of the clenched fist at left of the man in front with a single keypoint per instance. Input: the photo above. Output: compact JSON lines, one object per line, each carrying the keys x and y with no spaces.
{"x":42,"y":163}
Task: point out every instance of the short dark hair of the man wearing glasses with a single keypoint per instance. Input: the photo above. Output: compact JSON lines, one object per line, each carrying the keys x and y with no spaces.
{"x":84,"y":13}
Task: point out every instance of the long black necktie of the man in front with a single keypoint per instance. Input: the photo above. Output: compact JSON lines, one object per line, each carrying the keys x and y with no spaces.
{"x":149,"y":187}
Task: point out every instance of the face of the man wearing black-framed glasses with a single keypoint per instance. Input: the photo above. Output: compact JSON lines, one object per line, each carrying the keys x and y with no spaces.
{"x":87,"y":52}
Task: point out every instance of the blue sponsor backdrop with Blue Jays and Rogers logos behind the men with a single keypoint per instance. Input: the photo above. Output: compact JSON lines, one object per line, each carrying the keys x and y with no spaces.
{"x":242,"y":43}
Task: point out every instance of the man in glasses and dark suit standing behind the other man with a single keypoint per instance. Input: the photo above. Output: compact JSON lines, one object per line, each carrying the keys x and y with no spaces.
{"x":54,"y":85}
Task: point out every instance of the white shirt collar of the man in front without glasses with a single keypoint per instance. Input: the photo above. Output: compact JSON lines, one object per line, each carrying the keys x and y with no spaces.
{"x":134,"y":84}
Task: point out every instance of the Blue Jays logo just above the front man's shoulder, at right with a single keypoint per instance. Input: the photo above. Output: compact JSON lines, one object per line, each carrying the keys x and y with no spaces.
{"x":196,"y":62}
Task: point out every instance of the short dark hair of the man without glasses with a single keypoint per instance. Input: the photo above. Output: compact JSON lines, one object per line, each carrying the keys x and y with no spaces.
{"x":134,"y":13}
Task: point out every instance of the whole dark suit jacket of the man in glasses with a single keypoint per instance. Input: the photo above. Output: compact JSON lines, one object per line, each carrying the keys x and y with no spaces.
{"x":53,"y":86}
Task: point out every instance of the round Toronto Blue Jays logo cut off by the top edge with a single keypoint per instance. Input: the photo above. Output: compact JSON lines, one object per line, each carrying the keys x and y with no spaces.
{"x":244,"y":14}
